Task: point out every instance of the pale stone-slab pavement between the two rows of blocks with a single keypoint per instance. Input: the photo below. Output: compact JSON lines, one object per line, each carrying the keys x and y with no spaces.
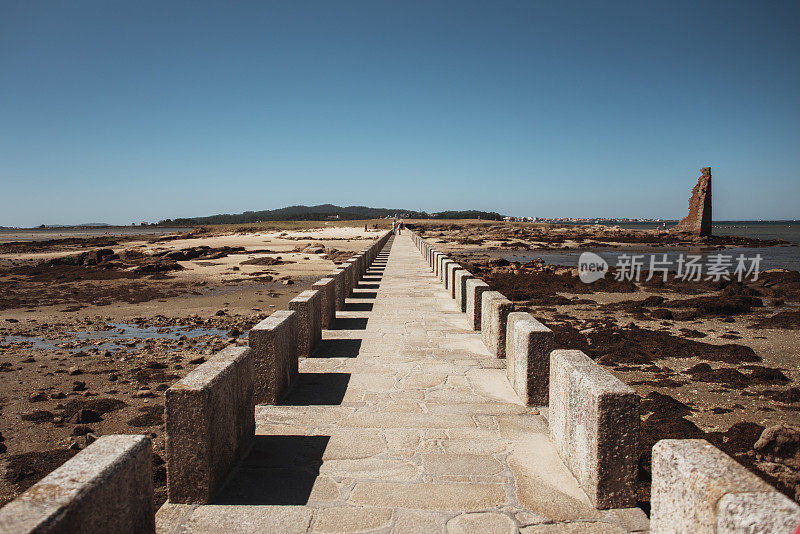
{"x":400,"y":421}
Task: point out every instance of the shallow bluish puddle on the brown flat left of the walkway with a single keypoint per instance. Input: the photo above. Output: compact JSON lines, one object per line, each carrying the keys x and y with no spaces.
{"x":128,"y":336}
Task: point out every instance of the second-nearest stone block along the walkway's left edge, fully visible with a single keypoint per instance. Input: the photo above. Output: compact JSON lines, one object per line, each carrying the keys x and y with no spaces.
{"x":210,"y":421}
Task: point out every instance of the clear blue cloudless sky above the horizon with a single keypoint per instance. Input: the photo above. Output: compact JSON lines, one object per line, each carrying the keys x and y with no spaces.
{"x":117,"y":111}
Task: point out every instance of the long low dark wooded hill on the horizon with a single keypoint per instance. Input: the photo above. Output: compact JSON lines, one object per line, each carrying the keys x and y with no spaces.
{"x":324,"y":212}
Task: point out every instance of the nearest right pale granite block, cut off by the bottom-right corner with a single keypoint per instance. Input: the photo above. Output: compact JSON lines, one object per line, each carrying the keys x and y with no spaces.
{"x":698,"y":488}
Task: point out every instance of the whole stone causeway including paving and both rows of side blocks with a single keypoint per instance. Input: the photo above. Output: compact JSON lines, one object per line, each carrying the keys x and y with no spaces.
{"x":401,"y":395}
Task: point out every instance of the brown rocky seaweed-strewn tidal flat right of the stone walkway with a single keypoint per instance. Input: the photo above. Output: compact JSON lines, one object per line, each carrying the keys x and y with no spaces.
{"x":712,"y":359}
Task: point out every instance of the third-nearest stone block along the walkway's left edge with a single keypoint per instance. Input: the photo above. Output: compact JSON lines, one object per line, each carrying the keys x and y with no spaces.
{"x":274,"y":345}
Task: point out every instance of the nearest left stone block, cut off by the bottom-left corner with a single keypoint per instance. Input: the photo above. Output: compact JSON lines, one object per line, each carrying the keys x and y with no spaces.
{"x":107,"y":487}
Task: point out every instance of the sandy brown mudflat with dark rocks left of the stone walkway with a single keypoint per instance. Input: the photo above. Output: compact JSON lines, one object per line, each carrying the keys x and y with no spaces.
{"x":93,"y":329}
